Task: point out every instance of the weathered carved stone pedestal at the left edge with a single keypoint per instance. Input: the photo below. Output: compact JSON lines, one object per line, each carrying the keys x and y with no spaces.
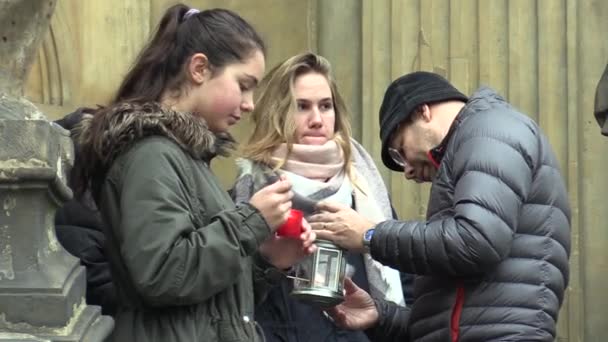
{"x":42,"y":287}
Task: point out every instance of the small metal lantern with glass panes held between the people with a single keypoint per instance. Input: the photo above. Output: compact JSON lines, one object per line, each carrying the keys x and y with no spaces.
{"x":319,"y":279}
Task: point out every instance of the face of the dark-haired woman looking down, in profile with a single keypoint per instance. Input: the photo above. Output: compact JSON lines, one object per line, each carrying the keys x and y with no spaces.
{"x":222,"y":98}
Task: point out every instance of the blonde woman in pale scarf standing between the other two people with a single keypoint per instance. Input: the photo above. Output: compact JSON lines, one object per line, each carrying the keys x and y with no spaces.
{"x":302,"y":133}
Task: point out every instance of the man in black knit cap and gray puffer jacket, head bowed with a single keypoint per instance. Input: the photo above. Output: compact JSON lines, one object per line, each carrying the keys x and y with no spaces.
{"x":491,"y":258}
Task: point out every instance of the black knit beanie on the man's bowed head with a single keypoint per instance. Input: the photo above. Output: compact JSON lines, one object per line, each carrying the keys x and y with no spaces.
{"x":406,"y":94}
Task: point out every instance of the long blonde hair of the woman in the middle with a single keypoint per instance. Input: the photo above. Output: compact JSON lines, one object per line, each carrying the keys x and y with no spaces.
{"x":276,"y":103}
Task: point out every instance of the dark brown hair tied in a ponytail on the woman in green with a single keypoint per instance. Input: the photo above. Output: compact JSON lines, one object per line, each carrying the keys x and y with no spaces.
{"x":222,"y":35}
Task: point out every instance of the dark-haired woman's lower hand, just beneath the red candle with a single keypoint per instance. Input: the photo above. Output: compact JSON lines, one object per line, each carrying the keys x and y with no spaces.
{"x":284,"y":252}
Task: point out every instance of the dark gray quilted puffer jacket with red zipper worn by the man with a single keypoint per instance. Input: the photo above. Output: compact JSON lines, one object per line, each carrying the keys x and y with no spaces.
{"x":493,"y":254}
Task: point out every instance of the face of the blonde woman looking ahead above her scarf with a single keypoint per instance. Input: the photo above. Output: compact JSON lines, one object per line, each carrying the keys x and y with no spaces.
{"x":315,"y":117}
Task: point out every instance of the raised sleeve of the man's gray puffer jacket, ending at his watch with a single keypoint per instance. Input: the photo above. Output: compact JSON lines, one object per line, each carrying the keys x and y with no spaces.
{"x":491,"y":175}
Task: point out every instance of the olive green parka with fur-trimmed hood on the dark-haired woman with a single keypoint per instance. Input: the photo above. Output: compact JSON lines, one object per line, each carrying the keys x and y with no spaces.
{"x":183,"y":256}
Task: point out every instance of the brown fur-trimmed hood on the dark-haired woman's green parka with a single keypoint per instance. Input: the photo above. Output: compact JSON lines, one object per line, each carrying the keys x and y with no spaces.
{"x":113,"y":130}
